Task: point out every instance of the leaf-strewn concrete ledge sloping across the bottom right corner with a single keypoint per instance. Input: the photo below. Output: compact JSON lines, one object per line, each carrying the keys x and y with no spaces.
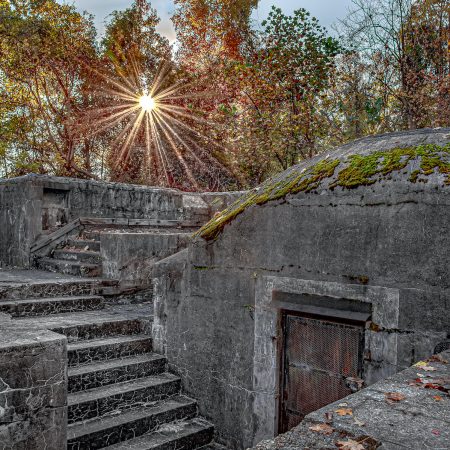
{"x":419,"y":419}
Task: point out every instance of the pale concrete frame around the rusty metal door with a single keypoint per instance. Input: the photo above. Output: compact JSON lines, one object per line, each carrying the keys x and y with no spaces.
{"x":384,"y":306}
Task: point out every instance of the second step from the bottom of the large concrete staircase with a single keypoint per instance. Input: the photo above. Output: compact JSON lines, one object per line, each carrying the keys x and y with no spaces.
{"x":109,"y":430}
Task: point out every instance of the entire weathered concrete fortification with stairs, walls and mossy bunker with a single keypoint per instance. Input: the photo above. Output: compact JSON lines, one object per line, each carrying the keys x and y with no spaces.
{"x":330,"y":277}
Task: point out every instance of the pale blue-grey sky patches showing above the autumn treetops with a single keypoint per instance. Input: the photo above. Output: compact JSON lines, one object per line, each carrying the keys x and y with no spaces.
{"x":327,"y":11}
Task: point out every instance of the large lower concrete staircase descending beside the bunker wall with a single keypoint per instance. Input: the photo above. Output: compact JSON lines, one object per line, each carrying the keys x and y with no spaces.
{"x":120,"y":394}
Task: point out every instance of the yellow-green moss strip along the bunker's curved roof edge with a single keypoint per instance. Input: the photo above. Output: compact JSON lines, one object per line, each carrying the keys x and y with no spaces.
{"x":358,"y":170}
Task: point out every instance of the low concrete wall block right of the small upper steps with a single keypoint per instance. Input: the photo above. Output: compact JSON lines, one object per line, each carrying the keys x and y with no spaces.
{"x":130,"y":256}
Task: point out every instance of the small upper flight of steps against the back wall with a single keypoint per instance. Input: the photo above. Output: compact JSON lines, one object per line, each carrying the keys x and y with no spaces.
{"x":78,"y":256}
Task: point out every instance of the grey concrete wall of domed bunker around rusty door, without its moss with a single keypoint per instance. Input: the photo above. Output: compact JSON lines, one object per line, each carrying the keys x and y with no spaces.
{"x":392,"y":235}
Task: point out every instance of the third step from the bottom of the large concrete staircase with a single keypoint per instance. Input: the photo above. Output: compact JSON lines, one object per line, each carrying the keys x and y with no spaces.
{"x":116,"y":398}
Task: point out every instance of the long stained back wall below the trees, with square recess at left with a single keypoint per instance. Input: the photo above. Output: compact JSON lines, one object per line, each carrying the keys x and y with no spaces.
{"x":36,"y":204}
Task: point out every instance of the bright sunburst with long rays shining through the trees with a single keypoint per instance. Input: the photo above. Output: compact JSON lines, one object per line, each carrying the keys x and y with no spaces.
{"x":150,"y":115}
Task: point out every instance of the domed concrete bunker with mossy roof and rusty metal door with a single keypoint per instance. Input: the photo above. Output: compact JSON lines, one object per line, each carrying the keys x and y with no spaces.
{"x":358,"y":238}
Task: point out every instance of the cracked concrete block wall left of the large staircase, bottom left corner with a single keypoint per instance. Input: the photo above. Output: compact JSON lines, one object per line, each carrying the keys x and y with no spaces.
{"x":33,"y":389}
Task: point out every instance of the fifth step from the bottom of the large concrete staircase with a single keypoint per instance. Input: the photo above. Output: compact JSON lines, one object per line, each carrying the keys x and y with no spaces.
{"x":85,"y":352}
